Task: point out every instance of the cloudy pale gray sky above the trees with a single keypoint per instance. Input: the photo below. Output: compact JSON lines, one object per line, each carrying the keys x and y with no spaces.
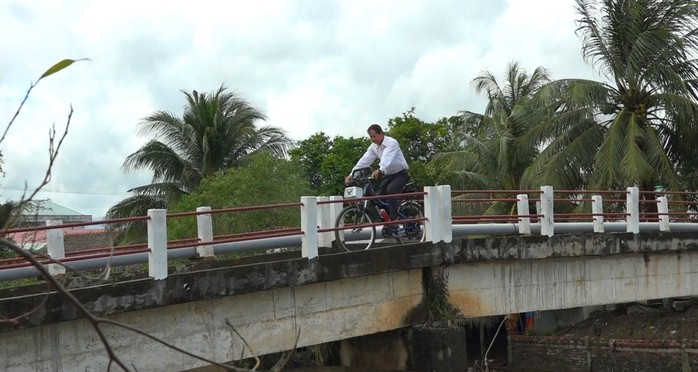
{"x":332,"y":66}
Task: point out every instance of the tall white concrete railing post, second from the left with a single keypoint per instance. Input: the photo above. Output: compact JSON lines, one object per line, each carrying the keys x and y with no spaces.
{"x":157,"y":243}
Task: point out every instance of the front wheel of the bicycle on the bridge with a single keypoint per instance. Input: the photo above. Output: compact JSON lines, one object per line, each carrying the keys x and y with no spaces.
{"x":353,"y":236}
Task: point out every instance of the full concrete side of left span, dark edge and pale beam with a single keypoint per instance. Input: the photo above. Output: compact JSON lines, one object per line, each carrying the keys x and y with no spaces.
{"x":328,"y":299}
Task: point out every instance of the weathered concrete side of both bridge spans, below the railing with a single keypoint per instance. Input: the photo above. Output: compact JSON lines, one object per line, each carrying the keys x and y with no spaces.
{"x":341,"y":296}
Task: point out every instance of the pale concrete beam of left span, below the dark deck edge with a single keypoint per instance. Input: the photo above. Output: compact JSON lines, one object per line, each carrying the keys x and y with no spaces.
{"x":268,"y":320}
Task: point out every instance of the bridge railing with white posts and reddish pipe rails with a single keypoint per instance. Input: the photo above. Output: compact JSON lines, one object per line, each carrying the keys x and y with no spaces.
{"x":448,"y":213}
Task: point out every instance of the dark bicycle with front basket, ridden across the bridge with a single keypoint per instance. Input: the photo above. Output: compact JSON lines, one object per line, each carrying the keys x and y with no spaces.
{"x":363,"y":213}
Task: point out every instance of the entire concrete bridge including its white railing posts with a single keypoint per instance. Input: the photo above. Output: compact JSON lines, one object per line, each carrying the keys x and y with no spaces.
{"x":533,"y":263}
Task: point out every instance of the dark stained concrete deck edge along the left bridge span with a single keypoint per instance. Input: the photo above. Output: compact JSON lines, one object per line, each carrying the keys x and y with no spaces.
{"x":217,"y":282}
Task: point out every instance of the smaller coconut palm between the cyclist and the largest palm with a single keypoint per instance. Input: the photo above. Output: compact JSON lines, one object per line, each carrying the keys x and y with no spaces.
{"x":493,"y":153}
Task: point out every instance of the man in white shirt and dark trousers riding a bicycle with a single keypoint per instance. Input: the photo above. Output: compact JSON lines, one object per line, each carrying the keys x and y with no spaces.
{"x":392,"y":169}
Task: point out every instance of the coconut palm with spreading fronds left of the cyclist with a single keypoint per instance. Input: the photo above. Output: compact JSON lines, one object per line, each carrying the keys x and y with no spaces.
{"x":217,"y":131}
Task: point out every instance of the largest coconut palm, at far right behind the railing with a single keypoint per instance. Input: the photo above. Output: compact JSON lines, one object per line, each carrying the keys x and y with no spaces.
{"x":639,"y":125}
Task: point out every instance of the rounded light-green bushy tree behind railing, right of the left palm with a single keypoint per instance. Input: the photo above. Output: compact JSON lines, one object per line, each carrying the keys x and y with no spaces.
{"x":266,"y":179}
